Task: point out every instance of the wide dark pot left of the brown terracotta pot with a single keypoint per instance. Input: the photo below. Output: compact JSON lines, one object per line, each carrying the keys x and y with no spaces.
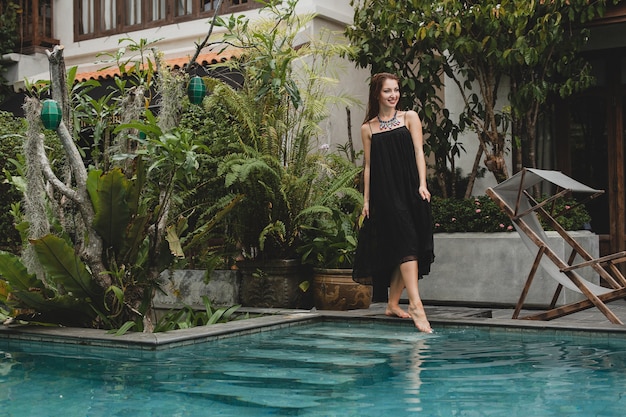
{"x":274,"y":284}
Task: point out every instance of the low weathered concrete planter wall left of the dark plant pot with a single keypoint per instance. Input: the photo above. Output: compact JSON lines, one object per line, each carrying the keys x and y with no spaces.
{"x":186,"y":287}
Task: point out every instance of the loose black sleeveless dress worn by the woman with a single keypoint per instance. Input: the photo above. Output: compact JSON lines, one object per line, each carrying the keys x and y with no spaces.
{"x":399,"y":228}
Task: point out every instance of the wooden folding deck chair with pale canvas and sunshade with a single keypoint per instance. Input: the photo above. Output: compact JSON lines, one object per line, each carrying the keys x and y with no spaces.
{"x":513,"y":197}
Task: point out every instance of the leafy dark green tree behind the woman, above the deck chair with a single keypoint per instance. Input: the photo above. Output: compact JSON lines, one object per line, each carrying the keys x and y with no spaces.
{"x":534,"y":43}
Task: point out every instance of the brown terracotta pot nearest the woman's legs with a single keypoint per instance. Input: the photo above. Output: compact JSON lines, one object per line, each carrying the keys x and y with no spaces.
{"x":334,"y":289}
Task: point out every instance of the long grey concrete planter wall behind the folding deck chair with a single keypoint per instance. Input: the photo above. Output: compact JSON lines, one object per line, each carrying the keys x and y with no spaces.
{"x":491,"y":269}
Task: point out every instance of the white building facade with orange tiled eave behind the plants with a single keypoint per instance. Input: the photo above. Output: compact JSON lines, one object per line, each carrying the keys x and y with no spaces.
{"x":90,"y":29}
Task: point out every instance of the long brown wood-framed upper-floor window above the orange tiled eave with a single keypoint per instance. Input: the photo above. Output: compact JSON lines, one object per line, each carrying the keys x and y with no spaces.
{"x":97,"y":18}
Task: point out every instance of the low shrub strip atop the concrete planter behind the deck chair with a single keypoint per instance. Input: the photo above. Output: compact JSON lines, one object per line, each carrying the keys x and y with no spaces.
{"x":481,"y":214}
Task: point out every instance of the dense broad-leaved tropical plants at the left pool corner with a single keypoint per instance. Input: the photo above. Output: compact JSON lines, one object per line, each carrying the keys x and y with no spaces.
{"x":109,"y":240}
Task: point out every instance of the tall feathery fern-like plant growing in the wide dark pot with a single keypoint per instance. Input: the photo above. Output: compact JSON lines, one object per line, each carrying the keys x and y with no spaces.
{"x":276,"y":115}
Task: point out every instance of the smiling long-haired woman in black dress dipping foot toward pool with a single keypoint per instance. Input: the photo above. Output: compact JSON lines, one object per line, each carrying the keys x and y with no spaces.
{"x":396,"y":242}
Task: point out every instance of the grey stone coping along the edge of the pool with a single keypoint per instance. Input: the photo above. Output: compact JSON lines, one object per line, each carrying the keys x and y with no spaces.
{"x":591,"y":325}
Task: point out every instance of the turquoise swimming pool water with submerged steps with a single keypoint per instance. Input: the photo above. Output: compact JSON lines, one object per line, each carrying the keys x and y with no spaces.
{"x":324,"y":369}
